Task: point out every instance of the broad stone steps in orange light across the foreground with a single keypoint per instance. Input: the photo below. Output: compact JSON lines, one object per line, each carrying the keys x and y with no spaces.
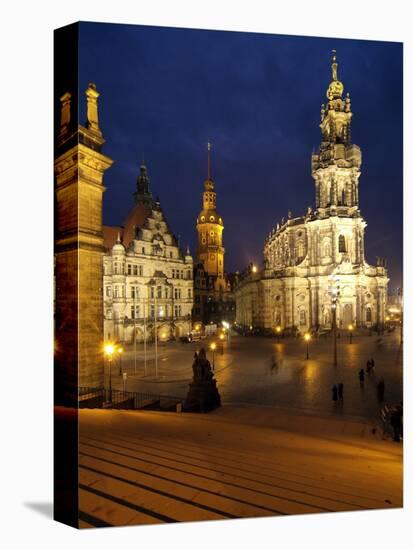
{"x":144,"y":467}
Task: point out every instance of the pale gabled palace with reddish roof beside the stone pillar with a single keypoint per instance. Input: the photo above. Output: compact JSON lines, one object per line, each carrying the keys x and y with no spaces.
{"x":148,"y":279}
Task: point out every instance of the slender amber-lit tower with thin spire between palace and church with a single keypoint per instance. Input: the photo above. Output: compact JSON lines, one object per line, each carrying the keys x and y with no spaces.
{"x":214,"y":300}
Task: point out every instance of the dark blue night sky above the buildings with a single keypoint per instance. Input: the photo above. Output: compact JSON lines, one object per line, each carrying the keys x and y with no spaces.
{"x":257,"y":97}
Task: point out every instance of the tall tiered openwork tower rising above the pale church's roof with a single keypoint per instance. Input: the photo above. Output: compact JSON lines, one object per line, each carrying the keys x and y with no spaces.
{"x":336,"y":164}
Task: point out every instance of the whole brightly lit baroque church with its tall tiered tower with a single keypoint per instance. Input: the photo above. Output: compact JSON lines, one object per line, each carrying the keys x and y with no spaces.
{"x":316,"y":262}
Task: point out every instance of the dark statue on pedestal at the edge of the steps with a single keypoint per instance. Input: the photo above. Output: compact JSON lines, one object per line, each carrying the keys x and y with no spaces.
{"x":203,"y":393}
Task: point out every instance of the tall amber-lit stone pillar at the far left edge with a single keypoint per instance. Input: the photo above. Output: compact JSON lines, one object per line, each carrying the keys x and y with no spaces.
{"x":79,"y":169}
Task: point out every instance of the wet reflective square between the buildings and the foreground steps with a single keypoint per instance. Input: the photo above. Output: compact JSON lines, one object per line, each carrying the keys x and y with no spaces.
{"x":244,"y":375}
